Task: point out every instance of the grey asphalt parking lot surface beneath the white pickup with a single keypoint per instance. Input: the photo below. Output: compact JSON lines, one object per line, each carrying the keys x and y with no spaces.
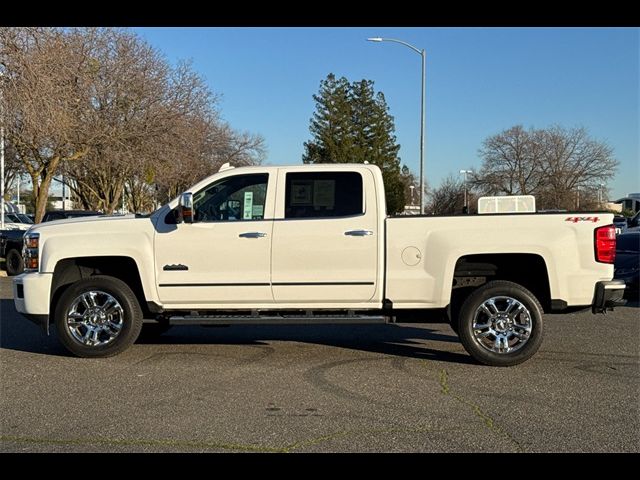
{"x":394,"y":388}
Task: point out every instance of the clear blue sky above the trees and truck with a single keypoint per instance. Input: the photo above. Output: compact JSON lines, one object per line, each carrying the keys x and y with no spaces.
{"x":480,"y":81}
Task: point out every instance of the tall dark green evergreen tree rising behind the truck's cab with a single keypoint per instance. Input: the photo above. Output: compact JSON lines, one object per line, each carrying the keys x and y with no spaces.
{"x":352,"y":124}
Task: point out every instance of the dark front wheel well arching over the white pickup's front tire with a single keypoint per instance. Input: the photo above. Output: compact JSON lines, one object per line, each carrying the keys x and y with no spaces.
{"x":70,"y":270}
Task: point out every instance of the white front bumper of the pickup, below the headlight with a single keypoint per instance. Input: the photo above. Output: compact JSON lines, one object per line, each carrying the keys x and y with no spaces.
{"x":31,"y":295}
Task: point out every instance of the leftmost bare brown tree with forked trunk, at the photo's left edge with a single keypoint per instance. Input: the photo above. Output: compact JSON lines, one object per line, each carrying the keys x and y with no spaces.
{"x":42,"y":82}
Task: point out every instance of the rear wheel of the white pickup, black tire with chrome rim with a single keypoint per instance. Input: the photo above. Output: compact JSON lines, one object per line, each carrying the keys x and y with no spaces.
{"x":500,"y":324}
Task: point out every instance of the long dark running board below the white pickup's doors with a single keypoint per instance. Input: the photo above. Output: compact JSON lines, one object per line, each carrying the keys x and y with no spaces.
{"x":278,"y":320}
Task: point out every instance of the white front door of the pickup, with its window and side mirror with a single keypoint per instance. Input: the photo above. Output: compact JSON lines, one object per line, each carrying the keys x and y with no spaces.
{"x":223,"y":258}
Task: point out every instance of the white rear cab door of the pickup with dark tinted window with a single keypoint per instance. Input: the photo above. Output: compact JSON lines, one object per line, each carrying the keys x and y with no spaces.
{"x":325,"y":237}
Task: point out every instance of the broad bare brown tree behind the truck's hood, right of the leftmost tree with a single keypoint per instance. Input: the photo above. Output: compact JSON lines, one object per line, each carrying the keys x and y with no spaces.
{"x":162,"y":128}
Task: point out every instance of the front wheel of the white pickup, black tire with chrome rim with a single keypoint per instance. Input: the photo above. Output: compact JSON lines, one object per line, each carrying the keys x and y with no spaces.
{"x":98,"y":316}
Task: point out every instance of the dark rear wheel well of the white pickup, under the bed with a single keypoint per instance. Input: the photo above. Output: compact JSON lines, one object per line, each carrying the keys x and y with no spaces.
{"x":528,"y":270}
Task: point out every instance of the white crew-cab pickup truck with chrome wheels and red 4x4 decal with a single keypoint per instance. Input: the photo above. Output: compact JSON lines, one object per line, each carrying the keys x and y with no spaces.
{"x":308,"y":245}
